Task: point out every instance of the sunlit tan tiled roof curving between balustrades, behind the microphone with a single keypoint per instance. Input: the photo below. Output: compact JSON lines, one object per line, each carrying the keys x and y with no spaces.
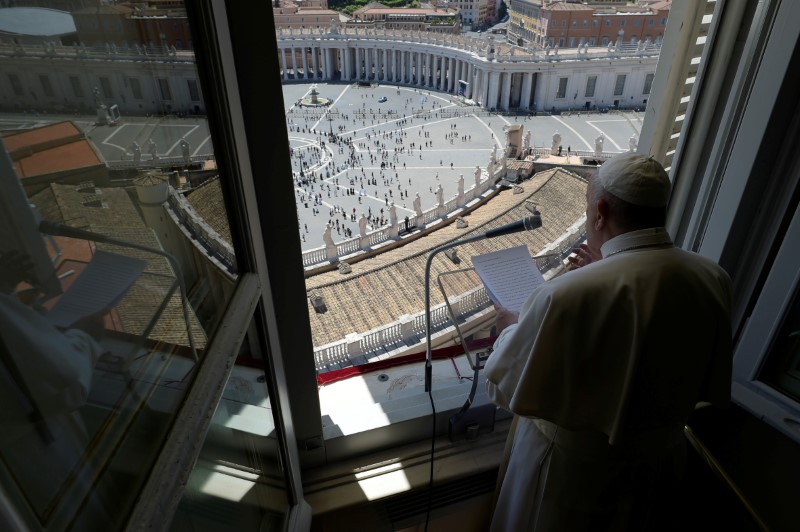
{"x":388,"y":285}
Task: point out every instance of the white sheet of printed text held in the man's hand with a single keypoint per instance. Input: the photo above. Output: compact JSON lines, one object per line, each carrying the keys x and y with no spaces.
{"x":510,"y":275}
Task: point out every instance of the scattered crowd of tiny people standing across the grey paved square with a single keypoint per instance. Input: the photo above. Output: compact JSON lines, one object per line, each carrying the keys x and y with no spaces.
{"x":360,"y":155}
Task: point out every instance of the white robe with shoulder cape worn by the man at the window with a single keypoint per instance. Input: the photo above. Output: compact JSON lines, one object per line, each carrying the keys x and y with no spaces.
{"x":602,"y":371}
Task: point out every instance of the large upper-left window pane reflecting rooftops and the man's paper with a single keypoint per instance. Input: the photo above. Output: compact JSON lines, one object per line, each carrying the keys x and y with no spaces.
{"x":102,"y":328}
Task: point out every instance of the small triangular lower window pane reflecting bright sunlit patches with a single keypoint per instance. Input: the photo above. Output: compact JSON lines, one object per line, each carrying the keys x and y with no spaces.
{"x":238,"y":482}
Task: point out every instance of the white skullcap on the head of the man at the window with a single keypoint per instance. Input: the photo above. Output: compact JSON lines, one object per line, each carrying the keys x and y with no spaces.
{"x":635,"y":178}
